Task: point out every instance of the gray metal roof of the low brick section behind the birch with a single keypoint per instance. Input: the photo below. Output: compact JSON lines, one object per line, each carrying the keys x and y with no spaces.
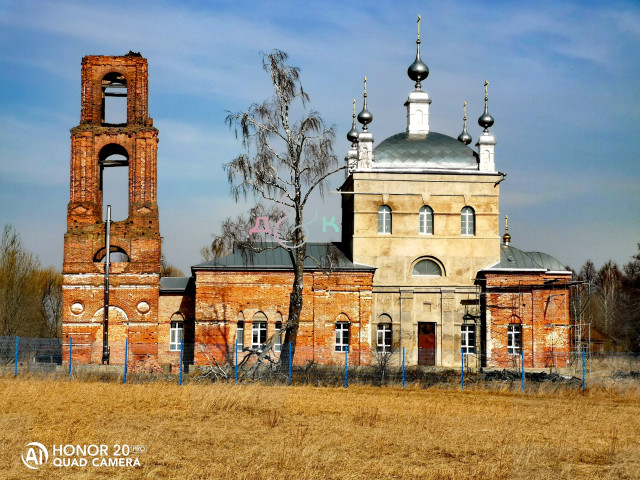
{"x":276,"y":258}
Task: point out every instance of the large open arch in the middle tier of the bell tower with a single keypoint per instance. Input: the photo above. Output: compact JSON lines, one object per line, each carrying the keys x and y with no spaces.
{"x":114,"y":182}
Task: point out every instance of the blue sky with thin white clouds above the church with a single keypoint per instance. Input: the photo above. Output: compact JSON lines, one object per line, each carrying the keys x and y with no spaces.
{"x":564,"y":91}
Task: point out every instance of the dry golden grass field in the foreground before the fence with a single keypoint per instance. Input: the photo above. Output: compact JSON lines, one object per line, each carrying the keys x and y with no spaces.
{"x":254,"y":431}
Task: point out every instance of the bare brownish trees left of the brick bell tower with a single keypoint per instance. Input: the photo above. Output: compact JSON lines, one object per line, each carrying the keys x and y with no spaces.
{"x":30,"y":296}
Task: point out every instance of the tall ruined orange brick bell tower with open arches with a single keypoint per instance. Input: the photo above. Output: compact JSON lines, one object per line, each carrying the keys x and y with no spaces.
{"x":135,"y":241}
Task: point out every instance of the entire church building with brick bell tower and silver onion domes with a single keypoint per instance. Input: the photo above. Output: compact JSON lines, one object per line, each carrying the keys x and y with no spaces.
{"x":421,"y":267}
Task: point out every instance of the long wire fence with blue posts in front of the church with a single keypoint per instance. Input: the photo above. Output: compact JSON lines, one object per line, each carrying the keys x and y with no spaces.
{"x":136,"y":362}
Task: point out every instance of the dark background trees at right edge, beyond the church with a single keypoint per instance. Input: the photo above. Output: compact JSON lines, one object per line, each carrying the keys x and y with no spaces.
{"x":610,"y":302}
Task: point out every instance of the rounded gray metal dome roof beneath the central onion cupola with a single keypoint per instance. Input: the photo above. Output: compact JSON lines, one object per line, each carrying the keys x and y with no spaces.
{"x":432,"y":150}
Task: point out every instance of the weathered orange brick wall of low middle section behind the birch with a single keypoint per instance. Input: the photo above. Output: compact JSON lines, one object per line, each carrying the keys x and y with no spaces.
{"x":224,"y":297}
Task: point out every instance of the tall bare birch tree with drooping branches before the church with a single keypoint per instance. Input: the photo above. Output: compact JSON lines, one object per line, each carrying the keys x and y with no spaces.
{"x":283,"y":162}
